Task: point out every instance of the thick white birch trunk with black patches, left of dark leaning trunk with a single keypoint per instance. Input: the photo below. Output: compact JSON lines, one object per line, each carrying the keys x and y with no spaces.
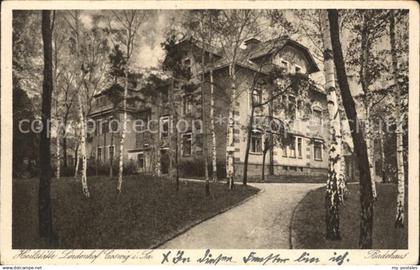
{"x":335,"y":176}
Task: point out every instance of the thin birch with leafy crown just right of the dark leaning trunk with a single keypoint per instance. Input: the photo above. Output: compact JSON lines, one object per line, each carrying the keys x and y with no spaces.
{"x":368,"y":28}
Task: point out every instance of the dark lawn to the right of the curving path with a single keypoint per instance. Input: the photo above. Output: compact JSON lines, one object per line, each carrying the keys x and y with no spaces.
{"x":309,"y":221}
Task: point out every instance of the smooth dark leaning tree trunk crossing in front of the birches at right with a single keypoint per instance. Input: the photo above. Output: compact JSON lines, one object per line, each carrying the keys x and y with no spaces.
{"x":366,"y":199}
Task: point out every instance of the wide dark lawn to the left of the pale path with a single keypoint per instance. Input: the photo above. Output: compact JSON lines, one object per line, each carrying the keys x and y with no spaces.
{"x":148,"y":212}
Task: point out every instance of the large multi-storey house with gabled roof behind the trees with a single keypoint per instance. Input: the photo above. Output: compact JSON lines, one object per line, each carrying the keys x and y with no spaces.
{"x":150,"y":146}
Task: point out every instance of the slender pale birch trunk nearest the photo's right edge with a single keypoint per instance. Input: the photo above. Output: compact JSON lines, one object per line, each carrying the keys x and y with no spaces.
{"x":399,"y":220}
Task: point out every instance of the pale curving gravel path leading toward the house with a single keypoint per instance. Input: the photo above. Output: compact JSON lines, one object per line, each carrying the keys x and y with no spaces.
{"x":261,"y":223}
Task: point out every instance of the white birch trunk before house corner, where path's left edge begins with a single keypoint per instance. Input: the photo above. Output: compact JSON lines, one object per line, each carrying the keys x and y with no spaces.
{"x":230,"y":140}
